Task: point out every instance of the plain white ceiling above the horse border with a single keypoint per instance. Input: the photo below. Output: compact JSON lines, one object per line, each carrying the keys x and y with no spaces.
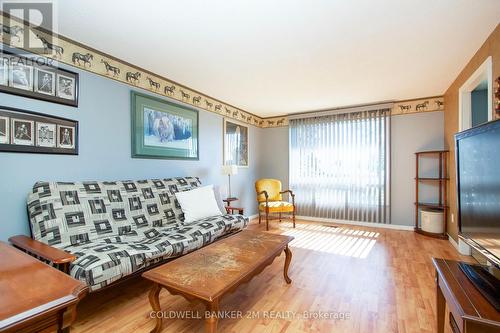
{"x":284,"y":56}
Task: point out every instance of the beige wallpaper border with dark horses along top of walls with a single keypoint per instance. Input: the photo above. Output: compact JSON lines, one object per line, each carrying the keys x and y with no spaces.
{"x":73,"y":53}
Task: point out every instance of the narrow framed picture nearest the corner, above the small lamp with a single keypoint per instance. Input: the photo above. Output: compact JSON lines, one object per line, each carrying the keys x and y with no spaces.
{"x":235,"y":143}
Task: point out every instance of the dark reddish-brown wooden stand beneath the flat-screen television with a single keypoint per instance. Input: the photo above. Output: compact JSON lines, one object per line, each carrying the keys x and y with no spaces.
{"x":469,"y":311}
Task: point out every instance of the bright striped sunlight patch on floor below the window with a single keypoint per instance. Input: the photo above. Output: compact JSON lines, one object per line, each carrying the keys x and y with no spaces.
{"x":336,"y":240}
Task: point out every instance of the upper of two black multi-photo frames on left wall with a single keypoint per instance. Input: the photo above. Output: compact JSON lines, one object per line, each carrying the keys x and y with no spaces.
{"x":36,"y":77}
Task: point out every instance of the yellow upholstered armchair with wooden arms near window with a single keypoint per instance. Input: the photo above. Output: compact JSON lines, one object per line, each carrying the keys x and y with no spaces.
{"x":270,"y":200}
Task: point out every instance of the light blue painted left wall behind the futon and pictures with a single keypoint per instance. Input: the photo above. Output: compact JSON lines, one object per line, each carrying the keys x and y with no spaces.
{"x":105,"y":152}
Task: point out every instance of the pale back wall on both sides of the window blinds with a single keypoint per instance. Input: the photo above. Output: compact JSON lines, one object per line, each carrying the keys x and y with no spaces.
{"x":409,"y":133}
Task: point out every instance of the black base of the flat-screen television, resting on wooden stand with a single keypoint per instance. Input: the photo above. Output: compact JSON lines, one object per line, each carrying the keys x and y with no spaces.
{"x":487,"y":284}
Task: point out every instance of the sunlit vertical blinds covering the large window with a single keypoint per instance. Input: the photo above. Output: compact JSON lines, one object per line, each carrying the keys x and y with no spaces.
{"x":339,"y":166}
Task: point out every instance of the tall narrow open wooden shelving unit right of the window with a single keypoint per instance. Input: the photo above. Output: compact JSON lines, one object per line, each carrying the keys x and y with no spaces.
{"x":441,"y":181}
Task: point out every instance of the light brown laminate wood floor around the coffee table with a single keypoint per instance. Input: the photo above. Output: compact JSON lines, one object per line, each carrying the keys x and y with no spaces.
{"x":345,"y":279}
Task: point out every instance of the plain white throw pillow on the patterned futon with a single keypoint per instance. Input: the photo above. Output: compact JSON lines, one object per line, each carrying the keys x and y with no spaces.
{"x":198,"y":203}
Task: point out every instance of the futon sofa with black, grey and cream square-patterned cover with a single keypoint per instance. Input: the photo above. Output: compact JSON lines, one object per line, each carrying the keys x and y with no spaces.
{"x":114,"y":229}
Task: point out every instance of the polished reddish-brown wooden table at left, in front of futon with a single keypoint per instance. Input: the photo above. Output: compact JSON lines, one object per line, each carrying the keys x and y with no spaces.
{"x":35,"y":297}
